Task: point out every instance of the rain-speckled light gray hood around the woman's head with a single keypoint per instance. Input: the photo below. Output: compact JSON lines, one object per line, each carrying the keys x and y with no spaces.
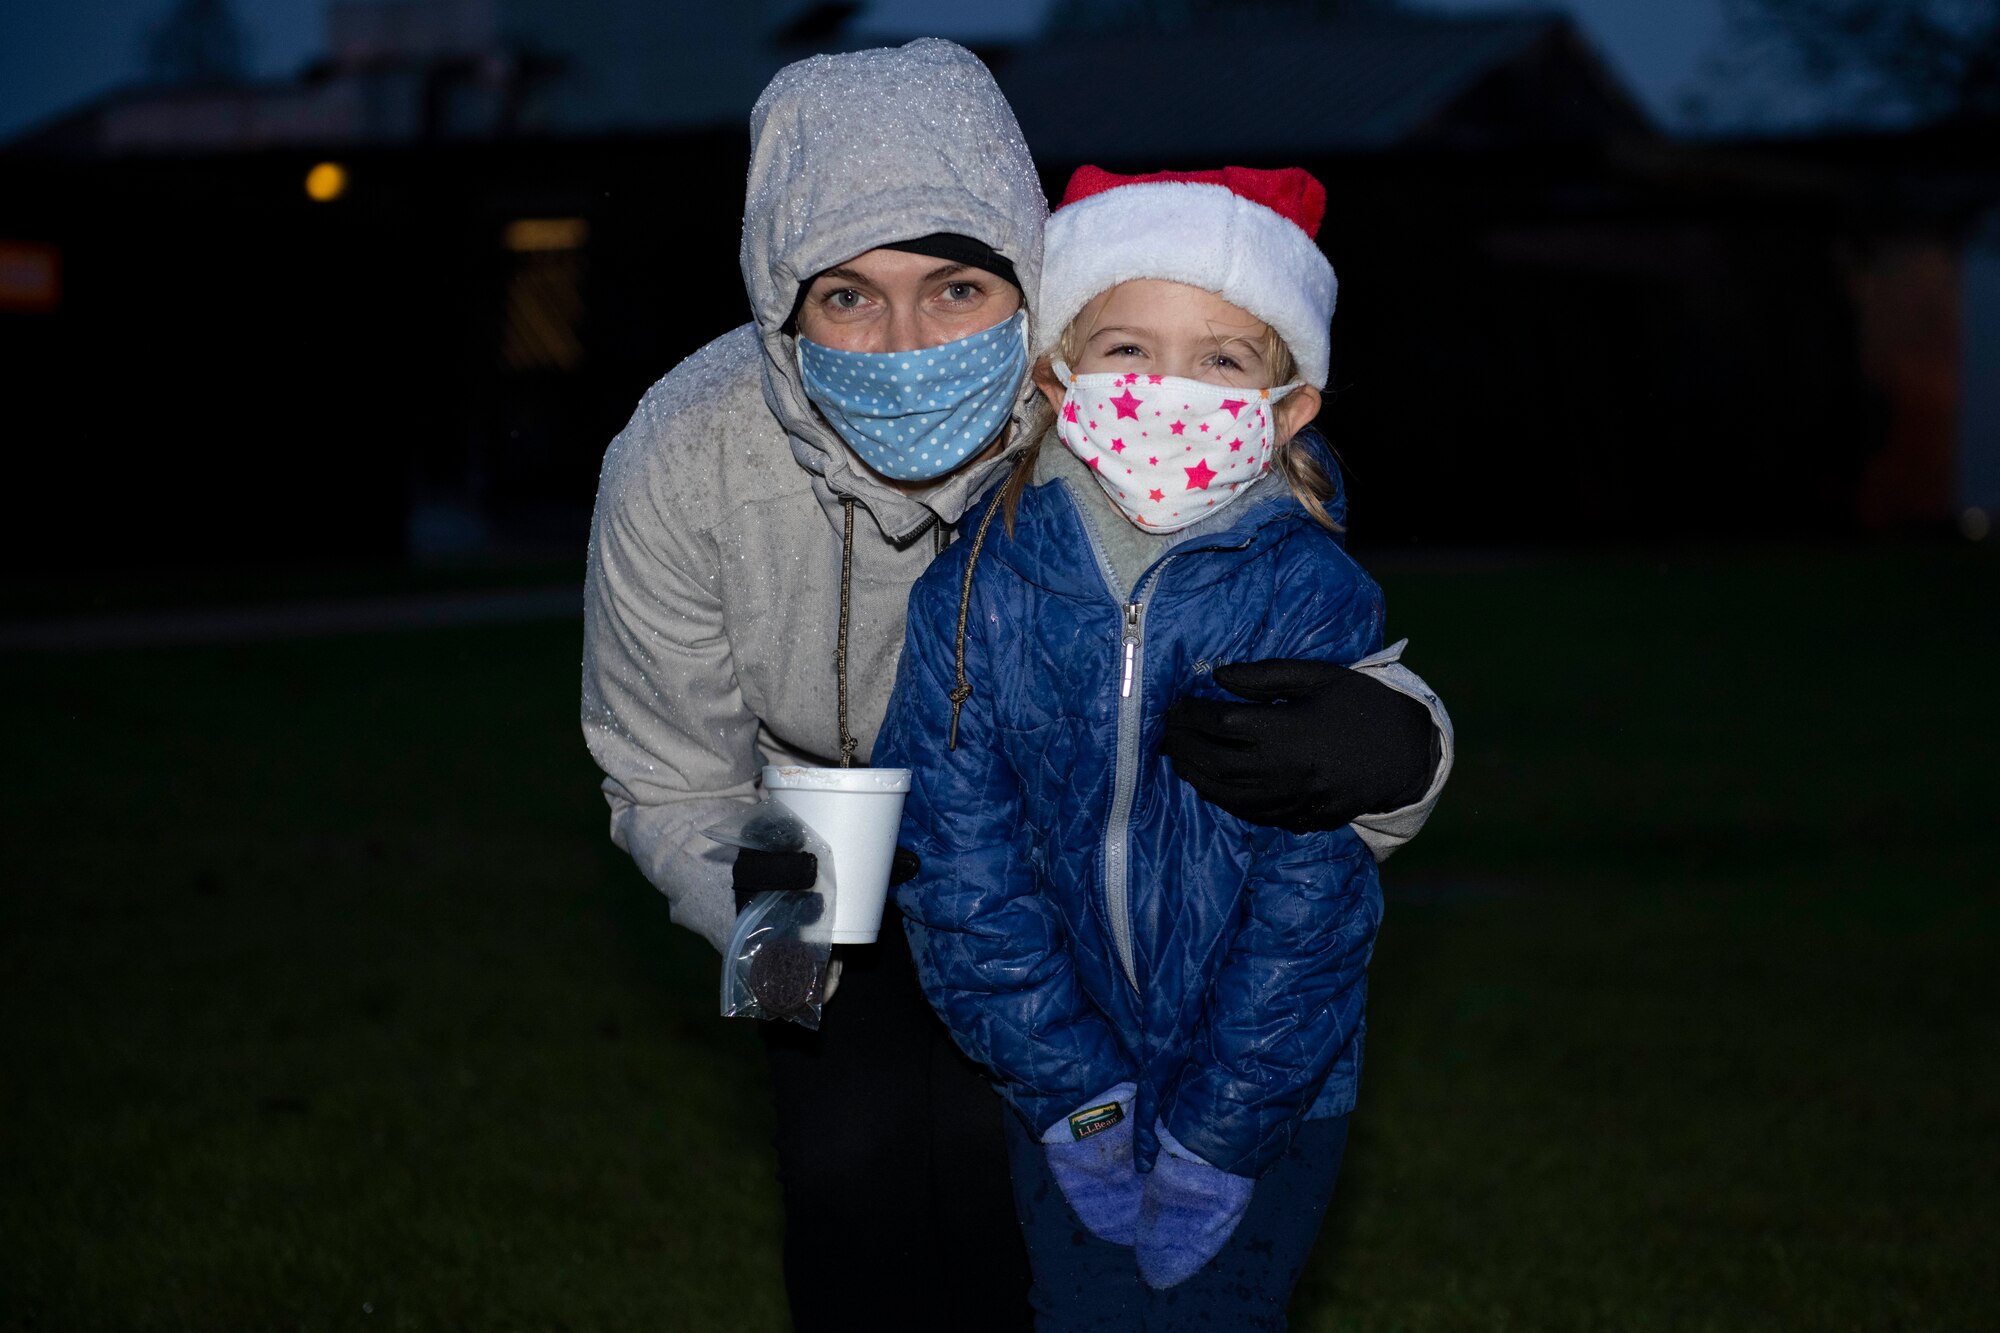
{"x":865,"y":149}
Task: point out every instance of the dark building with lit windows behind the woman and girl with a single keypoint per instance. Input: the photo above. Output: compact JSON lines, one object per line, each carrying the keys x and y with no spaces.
{"x":401,"y":303}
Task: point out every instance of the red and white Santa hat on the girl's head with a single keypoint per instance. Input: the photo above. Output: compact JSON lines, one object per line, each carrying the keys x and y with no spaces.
{"x":1241,"y":233}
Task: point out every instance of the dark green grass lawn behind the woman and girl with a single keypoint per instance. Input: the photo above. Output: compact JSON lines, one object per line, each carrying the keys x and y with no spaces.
{"x":327,"y":1004}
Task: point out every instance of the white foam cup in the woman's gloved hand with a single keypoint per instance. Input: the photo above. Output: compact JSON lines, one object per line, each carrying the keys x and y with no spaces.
{"x":859,"y":812}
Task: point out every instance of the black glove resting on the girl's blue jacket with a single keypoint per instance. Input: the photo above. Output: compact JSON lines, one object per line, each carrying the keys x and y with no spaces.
{"x":1317,"y":748}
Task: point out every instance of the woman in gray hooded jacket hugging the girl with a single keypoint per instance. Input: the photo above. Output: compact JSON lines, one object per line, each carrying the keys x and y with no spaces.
{"x":757,"y":533}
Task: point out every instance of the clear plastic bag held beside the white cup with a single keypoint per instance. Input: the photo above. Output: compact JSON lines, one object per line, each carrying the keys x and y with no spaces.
{"x":783,"y":948}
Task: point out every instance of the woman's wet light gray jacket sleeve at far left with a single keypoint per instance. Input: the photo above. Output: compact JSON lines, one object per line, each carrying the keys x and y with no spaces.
{"x":661,"y":712}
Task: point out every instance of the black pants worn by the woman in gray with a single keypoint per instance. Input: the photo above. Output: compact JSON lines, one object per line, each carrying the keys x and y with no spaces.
{"x":893,"y":1160}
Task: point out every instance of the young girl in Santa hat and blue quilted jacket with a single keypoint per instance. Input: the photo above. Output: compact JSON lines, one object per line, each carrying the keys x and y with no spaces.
{"x":1169,"y":998}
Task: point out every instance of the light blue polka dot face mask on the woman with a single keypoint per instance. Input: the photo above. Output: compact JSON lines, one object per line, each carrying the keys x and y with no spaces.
{"x":919,"y":415}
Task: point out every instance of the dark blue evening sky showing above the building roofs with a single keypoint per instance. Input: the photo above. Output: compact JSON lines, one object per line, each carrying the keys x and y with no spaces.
{"x":59,"y":53}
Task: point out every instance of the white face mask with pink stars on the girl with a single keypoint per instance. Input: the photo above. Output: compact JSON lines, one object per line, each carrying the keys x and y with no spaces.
{"x":1167,"y":451}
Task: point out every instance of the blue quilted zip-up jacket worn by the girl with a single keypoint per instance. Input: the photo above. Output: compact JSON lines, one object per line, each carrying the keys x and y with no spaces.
{"x":1083,"y":918}
